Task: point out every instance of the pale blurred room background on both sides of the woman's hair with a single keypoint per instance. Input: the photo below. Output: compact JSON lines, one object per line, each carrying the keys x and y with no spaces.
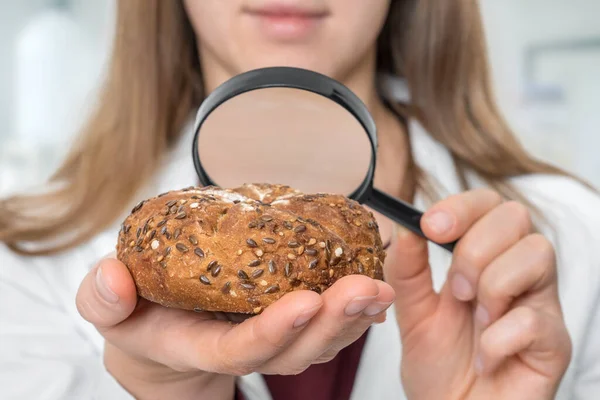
{"x":545,"y":57}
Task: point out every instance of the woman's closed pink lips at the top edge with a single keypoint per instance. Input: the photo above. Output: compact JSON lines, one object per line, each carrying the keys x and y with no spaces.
{"x":286,"y":22}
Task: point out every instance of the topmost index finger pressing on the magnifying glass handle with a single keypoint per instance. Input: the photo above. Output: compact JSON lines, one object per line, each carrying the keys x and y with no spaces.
{"x":449,"y":219}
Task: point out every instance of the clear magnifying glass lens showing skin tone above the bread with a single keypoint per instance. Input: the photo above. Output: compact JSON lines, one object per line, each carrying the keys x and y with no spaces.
{"x":282,"y":135}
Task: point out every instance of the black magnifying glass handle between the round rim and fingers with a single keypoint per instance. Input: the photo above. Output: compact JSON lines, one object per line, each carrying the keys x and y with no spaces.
{"x":402,"y":213}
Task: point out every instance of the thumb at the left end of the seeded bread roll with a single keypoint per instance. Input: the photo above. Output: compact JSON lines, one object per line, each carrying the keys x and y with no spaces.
{"x":107,"y":295}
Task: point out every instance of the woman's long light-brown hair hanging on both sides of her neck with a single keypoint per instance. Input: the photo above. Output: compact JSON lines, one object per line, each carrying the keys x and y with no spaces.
{"x":154,"y":85}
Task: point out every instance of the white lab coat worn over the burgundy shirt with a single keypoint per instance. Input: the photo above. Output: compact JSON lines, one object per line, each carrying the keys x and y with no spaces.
{"x":48,"y":352}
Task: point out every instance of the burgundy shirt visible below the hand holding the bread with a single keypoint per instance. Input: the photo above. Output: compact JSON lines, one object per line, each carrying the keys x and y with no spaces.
{"x":333,"y":380}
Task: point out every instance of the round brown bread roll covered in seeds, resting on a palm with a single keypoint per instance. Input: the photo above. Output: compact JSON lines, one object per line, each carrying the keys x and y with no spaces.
{"x":239,"y":250}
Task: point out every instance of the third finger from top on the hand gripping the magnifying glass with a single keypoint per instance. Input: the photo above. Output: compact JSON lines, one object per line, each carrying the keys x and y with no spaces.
{"x":527,"y":267}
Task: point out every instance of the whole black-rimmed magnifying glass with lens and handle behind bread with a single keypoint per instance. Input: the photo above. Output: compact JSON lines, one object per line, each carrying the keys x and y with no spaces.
{"x":295,"y":127}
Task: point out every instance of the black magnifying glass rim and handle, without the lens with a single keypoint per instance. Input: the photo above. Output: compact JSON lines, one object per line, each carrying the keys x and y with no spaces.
{"x":303,"y":79}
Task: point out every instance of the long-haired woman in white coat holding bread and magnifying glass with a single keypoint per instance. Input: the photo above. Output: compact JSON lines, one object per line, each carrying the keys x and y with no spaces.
{"x":486,"y":324}
